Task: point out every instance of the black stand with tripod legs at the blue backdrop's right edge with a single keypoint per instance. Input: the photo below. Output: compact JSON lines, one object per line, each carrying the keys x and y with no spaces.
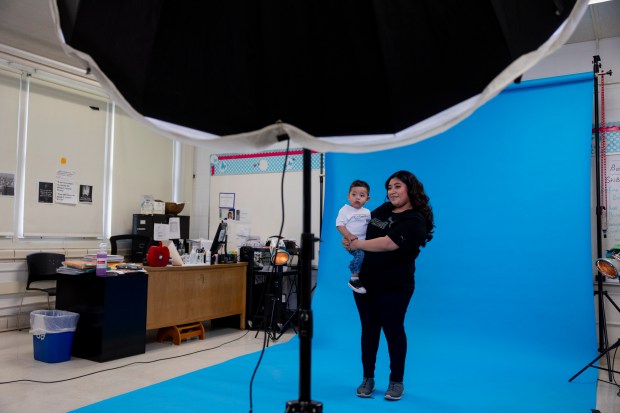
{"x":603,"y":339}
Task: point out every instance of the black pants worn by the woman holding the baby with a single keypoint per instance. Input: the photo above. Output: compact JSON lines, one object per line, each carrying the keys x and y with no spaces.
{"x":384,"y":310}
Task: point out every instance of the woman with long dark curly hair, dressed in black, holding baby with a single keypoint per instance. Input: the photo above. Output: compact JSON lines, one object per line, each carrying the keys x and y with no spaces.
{"x":396,"y":232}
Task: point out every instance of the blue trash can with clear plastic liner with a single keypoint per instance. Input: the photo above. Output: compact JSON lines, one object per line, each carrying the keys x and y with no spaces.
{"x":52,"y":332}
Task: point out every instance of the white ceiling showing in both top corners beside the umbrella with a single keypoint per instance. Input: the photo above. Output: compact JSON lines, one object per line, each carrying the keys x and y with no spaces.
{"x":27,"y":30}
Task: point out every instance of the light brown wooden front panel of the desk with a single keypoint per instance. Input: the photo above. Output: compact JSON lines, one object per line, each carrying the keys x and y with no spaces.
{"x":181,"y":295}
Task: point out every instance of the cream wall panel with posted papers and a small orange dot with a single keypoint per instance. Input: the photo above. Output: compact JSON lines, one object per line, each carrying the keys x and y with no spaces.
{"x":65,"y":162}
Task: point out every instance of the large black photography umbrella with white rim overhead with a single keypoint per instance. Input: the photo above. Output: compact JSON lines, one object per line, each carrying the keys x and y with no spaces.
{"x":355,"y":75}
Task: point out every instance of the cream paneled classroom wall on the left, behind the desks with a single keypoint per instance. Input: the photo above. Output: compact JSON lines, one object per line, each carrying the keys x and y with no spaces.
{"x":64,"y":125}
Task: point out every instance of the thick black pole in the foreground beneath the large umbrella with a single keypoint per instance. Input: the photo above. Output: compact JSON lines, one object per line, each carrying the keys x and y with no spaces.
{"x":305,"y":404}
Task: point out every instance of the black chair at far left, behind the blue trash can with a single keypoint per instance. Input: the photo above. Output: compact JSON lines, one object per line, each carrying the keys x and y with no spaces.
{"x":41,"y":267}
